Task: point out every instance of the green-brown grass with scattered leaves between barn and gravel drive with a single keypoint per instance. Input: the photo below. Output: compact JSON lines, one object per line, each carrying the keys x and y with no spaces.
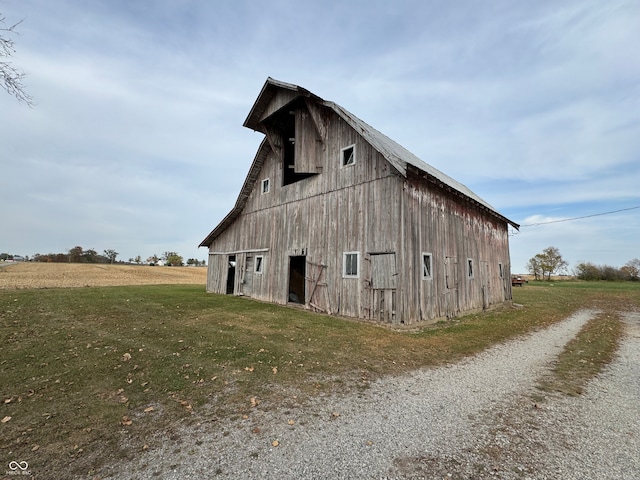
{"x":91,"y":375}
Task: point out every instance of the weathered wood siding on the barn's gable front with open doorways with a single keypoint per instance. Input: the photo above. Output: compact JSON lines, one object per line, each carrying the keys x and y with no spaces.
{"x":345,"y":209}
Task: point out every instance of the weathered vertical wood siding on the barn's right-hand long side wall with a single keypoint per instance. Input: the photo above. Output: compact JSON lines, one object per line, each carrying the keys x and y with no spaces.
{"x":454,"y":232}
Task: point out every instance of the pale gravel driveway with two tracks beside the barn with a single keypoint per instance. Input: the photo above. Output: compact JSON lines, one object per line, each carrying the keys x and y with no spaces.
{"x":473,"y":419}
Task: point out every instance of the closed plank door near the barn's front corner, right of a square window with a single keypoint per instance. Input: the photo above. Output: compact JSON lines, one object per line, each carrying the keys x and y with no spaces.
{"x":383,"y":287}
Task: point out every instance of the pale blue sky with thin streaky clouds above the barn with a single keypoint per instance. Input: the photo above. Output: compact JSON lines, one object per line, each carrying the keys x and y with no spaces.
{"x":136,"y":140}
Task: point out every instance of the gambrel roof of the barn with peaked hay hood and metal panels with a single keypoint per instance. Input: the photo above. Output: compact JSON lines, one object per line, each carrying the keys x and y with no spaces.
{"x":398,"y":156}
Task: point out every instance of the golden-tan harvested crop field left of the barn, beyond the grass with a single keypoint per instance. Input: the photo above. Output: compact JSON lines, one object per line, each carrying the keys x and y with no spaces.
{"x":71,"y":275}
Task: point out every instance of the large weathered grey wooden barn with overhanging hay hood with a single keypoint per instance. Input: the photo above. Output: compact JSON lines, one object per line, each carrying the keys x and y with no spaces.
{"x":336,"y":216}
